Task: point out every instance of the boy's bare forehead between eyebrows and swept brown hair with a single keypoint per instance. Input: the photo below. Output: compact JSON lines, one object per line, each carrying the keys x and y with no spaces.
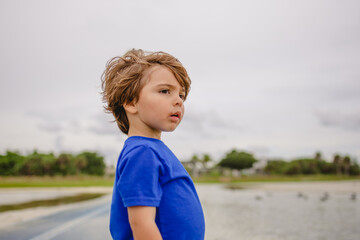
{"x":161,"y":75}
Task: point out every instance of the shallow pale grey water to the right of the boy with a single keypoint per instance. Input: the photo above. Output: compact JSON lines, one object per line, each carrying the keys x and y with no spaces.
{"x":254,"y":214}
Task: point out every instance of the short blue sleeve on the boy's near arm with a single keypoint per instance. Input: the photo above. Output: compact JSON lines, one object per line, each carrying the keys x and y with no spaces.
{"x":138,"y":181}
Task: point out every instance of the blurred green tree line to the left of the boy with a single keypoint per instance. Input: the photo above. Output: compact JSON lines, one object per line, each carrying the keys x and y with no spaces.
{"x":49,"y":164}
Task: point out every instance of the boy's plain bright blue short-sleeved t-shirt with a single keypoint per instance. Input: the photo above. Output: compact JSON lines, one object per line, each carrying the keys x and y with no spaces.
{"x":149,"y":174}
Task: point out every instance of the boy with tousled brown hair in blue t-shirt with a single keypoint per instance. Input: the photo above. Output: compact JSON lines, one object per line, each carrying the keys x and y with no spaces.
{"x":153,"y":196}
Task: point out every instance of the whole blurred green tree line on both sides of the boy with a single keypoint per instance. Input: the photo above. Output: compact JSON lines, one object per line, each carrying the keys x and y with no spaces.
{"x":49,"y":164}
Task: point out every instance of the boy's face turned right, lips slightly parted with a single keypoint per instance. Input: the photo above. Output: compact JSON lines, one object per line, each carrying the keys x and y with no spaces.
{"x":160,"y":104}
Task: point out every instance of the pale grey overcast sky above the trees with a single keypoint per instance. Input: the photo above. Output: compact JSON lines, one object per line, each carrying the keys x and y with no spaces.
{"x":276,"y":78}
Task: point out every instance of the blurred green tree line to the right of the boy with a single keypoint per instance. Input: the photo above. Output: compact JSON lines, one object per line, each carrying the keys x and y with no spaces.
{"x":241,"y":160}
